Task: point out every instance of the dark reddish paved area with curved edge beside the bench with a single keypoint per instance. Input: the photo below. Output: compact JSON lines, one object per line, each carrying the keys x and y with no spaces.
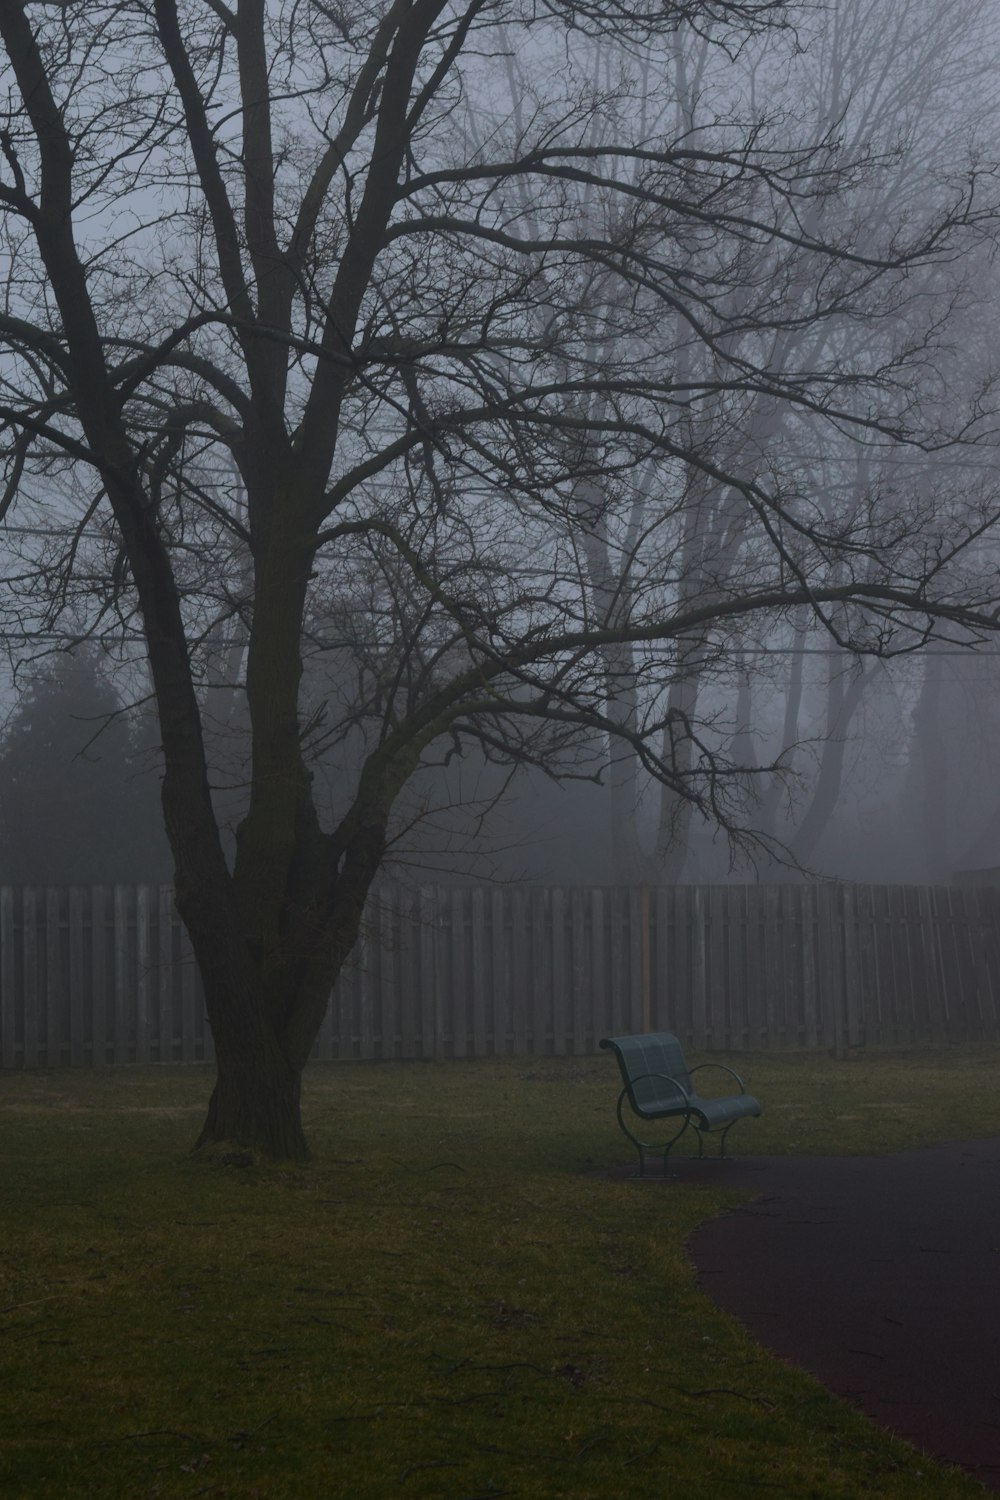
{"x":879,"y":1276}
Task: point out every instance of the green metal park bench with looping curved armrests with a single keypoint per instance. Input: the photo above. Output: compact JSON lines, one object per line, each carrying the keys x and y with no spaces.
{"x":659,"y":1087}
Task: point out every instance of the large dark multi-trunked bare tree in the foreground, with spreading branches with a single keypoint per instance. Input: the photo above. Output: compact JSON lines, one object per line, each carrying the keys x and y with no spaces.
{"x":265,"y":236}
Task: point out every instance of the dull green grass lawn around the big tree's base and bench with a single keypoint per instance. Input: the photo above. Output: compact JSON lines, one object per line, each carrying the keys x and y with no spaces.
{"x":451,"y":1301}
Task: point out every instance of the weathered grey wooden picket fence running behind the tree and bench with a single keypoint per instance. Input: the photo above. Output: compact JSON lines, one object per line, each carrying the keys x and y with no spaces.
{"x":94,"y":976}
